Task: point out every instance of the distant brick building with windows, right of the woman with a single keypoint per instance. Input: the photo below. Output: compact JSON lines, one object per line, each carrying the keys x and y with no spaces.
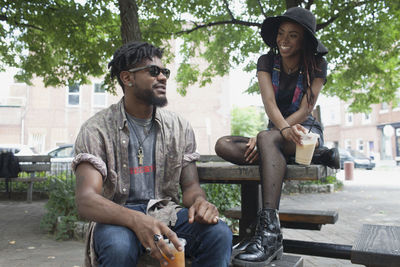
{"x":375,"y":134}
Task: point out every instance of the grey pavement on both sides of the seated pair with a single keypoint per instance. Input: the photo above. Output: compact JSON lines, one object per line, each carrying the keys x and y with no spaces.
{"x":372,"y":197}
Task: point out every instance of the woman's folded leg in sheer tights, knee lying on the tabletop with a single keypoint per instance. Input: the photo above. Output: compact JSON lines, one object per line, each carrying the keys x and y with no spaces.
{"x":232,"y":149}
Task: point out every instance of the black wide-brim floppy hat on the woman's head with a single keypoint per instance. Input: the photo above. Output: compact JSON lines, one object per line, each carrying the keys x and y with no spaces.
{"x":304,"y":17}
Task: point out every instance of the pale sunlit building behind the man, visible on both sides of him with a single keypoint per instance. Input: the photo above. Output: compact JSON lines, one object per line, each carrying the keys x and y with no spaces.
{"x":46,"y":117}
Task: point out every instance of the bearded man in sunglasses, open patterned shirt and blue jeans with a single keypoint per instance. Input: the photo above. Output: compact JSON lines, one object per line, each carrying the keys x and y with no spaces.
{"x":130,"y":160}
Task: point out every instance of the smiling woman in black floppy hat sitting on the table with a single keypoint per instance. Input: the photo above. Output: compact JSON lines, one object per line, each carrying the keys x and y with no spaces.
{"x":290,"y":78}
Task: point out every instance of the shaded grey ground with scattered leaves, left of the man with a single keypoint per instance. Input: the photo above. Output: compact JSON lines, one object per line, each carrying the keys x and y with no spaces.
{"x":23,"y":244}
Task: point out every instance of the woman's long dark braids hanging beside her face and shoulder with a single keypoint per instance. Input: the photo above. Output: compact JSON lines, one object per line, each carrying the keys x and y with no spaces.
{"x":310,"y":62}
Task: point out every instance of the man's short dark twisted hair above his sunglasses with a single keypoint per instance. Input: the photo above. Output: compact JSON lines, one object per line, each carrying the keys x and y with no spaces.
{"x":130,"y":55}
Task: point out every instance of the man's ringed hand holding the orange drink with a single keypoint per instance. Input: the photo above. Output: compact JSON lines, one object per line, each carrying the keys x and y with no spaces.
{"x":145,"y":227}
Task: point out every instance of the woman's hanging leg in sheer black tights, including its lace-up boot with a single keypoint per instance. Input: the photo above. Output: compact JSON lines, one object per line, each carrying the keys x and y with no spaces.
{"x":266,"y":244}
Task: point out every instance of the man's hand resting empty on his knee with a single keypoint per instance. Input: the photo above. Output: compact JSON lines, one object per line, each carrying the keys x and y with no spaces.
{"x":203,"y":211}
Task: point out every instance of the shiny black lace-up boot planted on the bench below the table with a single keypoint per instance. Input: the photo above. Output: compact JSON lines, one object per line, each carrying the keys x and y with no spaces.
{"x":265,"y":245}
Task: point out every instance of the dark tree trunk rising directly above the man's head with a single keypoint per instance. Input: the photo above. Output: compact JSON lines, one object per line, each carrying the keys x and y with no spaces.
{"x":130,"y":29}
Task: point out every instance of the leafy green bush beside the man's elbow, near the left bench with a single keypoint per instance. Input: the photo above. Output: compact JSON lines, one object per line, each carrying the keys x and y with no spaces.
{"x":61,"y":209}
